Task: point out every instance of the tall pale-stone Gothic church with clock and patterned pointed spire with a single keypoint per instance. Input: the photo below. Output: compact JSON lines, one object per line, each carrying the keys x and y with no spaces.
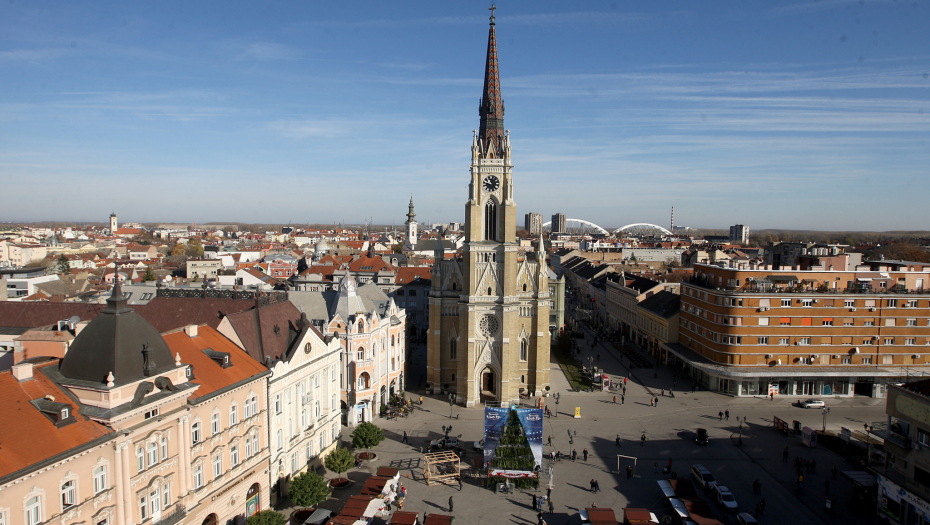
{"x":489,"y":311}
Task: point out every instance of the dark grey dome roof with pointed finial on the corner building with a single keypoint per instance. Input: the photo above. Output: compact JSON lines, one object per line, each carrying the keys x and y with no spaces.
{"x":117,"y":341}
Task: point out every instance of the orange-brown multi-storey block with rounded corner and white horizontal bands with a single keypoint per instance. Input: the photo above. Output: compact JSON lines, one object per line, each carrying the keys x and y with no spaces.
{"x":761,"y":332}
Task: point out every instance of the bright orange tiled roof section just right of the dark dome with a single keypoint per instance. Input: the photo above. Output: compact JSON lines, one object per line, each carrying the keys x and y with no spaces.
{"x":209,"y":374}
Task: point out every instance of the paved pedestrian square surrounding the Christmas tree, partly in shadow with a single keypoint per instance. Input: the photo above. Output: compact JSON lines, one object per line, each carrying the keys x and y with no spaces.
{"x":670,"y":431}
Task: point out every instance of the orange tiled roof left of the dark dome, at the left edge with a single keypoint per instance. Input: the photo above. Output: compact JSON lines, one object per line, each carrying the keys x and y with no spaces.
{"x":26,"y":435}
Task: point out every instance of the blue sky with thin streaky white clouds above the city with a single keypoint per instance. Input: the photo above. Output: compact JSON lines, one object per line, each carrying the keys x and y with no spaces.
{"x":804,"y":115}
